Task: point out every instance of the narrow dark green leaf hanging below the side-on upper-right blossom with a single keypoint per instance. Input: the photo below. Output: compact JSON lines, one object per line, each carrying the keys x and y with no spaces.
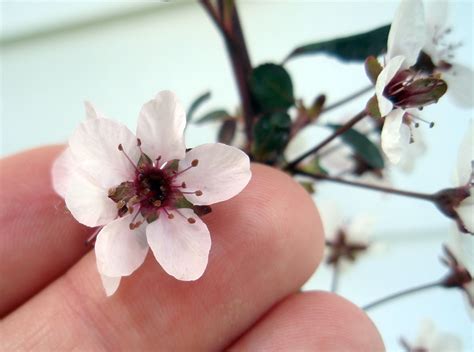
{"x":363,"y":147}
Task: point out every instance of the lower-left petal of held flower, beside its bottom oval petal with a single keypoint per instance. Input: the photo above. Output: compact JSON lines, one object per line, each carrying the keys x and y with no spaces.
{"x":120,"y":251}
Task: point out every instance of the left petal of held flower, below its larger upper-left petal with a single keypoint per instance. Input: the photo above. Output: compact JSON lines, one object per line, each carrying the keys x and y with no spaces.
{"x":88,"y":202}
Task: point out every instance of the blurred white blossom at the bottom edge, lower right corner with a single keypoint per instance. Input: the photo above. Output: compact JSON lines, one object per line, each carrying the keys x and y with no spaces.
{"x":430,"y":339}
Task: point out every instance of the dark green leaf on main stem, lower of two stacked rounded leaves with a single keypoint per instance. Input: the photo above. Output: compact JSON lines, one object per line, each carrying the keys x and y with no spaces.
{"x":271,"y":135}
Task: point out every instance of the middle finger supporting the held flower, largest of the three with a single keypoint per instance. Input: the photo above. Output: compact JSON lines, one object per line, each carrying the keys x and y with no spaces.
{"x":266,"y":243}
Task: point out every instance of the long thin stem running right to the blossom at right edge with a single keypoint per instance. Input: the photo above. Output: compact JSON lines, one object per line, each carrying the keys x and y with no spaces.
{"x":423,"y":196}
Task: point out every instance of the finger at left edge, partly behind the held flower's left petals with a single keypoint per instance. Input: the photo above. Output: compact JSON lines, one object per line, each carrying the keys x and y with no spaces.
{"x":39,"y":240}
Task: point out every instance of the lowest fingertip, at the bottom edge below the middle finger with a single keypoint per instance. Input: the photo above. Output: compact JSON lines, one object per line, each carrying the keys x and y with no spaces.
{"x":312,"y":321}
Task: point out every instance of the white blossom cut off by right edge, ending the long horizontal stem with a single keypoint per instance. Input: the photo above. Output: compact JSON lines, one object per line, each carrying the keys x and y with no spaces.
{"x":458,"y":202}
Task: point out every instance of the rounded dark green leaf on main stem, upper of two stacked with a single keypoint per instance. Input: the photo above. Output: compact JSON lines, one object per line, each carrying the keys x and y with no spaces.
{"x":271,"y":87}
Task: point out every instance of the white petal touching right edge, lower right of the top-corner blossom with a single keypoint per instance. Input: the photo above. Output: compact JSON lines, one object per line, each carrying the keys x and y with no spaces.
{"x":460,"y":80}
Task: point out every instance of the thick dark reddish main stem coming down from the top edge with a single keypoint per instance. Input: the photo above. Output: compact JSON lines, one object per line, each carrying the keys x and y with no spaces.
{"x":239,"y":57}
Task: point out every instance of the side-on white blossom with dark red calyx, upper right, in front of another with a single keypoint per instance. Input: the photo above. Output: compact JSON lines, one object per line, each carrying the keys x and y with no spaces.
{"x":399,"y":89}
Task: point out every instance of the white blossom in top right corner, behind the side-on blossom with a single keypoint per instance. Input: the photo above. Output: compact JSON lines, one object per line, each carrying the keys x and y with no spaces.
{"x":438,"y":55}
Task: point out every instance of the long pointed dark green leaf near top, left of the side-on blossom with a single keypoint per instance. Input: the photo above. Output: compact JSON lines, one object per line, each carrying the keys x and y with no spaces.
{"x":352,"y":48}
